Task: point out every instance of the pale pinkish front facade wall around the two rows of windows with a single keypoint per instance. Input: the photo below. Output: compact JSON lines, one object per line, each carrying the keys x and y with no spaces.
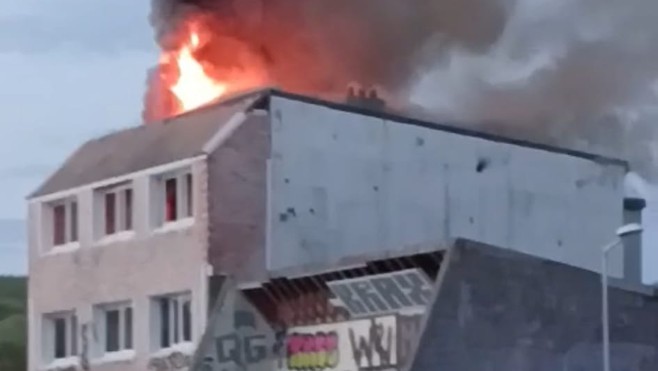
{"x":150,"y":263}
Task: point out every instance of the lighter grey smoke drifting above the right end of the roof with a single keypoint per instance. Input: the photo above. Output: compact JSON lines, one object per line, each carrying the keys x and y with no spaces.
{"x":577,"y":73}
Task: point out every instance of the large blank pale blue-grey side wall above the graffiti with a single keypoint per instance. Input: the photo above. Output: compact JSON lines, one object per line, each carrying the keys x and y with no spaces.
{"x":343,"y":184}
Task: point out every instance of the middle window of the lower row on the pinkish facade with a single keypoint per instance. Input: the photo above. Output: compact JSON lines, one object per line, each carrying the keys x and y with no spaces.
{"x":114,"y":323}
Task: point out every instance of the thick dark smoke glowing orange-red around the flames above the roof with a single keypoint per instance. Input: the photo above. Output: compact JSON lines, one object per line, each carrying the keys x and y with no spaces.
{"x":318,"y":47}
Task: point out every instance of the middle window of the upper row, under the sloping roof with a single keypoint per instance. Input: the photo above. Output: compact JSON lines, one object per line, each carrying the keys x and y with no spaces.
{"x":116,"y":213}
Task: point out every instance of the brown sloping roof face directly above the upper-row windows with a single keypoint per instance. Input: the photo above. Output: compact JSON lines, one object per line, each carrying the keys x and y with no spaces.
{"x":145,"y":146}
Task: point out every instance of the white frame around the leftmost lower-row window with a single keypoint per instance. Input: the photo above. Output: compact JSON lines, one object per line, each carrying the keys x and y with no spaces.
{"x":49,"y":339}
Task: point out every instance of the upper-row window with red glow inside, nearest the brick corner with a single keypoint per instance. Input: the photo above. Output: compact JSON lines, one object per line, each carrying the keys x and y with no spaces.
{"x":177,"y":197}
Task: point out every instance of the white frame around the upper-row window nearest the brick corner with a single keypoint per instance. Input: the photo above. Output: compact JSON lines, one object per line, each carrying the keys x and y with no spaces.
{"x":185,"y":207}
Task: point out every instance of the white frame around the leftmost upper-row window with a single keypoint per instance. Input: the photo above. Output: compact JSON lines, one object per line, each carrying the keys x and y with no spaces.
{"x":48,"y":239}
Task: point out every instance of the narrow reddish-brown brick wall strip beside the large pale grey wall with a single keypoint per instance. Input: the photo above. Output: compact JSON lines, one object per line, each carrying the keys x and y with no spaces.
{"x":237,"y":201}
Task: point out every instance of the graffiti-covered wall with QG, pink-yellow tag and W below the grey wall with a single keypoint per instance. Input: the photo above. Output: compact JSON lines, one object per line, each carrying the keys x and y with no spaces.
{"x":240,"y":338}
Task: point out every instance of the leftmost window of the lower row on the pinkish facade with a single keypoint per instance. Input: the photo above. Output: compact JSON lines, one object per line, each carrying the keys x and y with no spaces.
{"x":60,"y":336}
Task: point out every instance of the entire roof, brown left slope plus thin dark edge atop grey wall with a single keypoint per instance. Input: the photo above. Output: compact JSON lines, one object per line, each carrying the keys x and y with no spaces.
{"x":184,"y":136}
